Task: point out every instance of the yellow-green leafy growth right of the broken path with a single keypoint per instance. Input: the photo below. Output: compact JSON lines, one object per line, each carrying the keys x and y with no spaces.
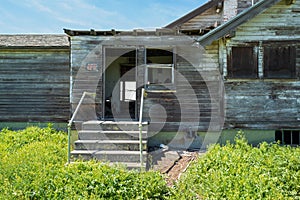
{"x":240,"y":171}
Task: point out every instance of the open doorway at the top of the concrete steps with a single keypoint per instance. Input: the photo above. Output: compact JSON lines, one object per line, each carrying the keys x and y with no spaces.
{"x":120,"y":84}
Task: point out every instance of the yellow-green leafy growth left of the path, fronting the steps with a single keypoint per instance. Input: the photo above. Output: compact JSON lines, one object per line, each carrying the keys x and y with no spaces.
{"x":32,"y":166}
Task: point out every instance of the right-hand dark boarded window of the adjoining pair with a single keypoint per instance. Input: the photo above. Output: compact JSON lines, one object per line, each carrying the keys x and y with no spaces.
{"x":279,"y":62}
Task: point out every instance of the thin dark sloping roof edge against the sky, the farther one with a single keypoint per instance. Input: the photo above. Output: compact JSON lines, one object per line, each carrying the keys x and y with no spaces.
{"x":194,"y":13}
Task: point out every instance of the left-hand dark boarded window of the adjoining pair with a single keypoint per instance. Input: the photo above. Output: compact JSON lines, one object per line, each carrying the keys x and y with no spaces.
{"x":242,"y":63}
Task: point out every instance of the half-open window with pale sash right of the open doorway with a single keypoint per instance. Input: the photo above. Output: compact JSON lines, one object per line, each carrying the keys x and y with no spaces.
{"x":159,"y":68}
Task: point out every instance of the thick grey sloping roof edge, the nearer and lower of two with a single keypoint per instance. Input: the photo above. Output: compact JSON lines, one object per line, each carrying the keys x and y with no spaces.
{"x":233,"y":23}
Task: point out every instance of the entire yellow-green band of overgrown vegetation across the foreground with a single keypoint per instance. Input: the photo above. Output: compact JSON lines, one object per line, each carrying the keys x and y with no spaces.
{"x":32,"y":166}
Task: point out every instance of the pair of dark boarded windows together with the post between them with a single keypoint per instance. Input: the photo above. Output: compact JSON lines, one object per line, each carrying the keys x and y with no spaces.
{"x":262,"y":60}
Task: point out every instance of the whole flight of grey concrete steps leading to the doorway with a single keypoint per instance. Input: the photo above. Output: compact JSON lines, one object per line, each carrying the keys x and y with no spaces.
{"x":104,"y":140}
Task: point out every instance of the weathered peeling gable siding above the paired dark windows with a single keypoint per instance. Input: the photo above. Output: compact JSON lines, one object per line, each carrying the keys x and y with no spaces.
{"x":280,"y":22}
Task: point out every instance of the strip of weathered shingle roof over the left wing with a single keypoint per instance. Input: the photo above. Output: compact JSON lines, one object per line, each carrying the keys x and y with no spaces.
{"x":32,"y":40}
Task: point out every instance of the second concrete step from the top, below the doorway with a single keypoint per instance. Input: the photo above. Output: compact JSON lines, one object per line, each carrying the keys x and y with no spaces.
{"x":110,"y":135}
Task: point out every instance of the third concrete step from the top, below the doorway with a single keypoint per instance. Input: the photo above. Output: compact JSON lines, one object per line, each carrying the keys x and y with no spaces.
{"x":129,"y":145}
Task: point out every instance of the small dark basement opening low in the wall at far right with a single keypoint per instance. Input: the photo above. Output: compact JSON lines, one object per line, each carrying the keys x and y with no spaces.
{"x":287,"y":137}
